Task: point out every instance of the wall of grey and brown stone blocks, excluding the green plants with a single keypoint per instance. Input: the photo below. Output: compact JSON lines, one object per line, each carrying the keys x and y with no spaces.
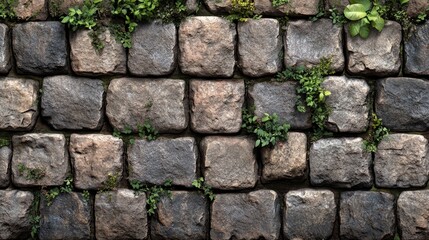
{"x":60,"y":101}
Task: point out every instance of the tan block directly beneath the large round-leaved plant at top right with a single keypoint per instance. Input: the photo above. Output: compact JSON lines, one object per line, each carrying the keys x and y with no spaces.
{"x":378,"y":55}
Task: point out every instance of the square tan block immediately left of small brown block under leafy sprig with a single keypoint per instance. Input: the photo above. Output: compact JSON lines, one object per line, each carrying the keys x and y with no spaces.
{"x":229,"y":162}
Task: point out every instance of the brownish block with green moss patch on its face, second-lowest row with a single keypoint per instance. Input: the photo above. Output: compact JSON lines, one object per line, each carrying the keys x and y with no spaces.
{"x":45,"y":152}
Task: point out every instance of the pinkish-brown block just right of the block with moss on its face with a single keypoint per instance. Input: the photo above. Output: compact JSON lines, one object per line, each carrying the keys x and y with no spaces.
{"x":94,"y":157}
